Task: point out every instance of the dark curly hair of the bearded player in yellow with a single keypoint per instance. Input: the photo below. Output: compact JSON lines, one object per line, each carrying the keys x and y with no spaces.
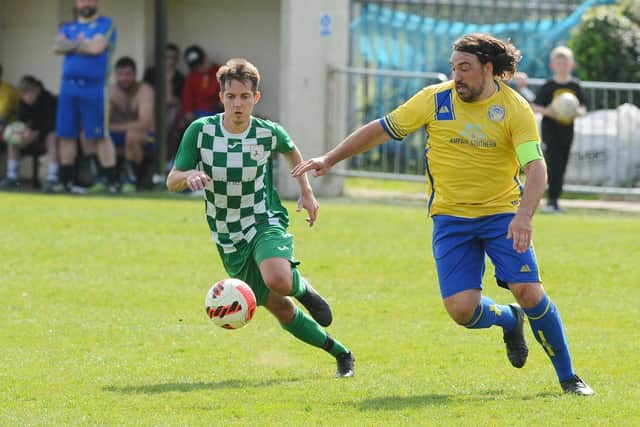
{"x":502,"y":54}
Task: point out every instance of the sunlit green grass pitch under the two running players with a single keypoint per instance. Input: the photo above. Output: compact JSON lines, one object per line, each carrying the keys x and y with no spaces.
{"x":102,"y":323}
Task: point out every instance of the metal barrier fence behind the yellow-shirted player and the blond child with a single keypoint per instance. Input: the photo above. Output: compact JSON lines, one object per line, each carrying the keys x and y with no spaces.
{"x":605,"y":156}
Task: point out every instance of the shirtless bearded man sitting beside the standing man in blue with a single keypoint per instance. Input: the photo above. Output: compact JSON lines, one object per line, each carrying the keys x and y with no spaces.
{"x":131,"y":120}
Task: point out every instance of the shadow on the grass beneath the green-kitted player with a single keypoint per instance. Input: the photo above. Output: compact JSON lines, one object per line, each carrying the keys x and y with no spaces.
{"x":188,"y":387}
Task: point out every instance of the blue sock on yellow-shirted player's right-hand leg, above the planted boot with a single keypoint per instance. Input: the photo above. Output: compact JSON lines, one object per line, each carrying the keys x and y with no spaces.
{"x":547,"y":328}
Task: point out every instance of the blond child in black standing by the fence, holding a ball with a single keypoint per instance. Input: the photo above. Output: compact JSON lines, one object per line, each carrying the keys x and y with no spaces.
{"x":557,"y":136}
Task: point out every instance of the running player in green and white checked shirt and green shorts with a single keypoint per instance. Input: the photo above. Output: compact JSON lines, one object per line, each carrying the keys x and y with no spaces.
{"x":229,"y":156}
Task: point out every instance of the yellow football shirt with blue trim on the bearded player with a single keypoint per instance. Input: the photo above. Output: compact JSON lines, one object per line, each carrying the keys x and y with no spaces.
{"x":472,"y":166}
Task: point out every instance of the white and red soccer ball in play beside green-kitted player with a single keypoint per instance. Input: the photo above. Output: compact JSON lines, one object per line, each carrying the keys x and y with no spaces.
{"x":230,"y":303}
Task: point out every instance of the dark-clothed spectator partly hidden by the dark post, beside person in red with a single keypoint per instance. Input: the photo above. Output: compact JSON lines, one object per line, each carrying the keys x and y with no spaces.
{"x":175,"y":87}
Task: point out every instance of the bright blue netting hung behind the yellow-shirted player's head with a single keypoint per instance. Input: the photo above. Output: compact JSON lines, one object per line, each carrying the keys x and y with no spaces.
{"x":393,"y":39}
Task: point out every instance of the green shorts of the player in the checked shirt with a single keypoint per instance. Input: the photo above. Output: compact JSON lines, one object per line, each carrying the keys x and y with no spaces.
{"x":270,"y":242}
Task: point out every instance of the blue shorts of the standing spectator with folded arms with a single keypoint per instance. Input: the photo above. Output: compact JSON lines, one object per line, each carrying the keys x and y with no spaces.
{"x":81,"y":106}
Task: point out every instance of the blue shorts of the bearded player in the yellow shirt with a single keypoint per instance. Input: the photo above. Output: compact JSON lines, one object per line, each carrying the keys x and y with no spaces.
{"x":459,"y":248}
